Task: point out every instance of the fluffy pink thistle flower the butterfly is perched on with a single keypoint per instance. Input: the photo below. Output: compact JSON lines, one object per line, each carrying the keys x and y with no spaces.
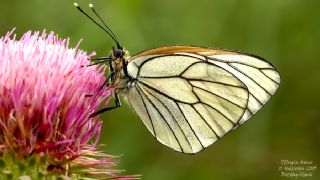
{"x":45,"y":128}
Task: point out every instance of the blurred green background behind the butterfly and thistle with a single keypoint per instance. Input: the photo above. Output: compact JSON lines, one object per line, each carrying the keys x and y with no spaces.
{"x":286,"y":32}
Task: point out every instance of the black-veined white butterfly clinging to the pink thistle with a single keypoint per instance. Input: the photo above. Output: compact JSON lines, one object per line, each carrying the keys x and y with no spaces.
{"x":189,"y":97}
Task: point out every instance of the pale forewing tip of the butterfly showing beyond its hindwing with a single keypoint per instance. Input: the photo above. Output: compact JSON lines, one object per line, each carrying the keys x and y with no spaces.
{"x":260,"y":77}
